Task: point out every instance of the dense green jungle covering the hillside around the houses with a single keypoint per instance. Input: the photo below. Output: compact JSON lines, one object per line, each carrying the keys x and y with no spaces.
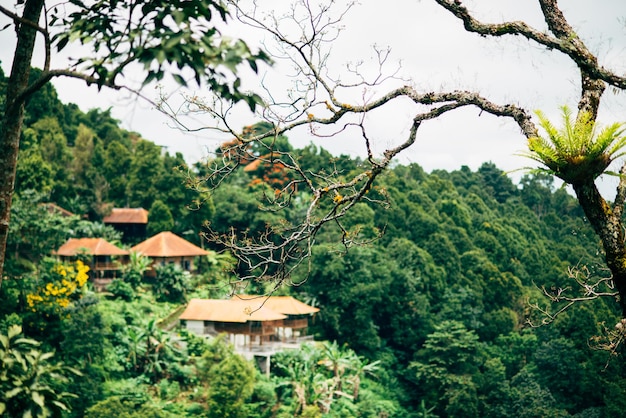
{"x":428,"y":319}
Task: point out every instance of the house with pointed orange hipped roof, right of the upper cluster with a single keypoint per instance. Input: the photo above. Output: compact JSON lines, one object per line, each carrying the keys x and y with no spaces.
{"x":167,"y":247}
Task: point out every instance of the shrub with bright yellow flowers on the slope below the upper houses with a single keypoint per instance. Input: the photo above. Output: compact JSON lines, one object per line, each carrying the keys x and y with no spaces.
{"x":59,"y":285}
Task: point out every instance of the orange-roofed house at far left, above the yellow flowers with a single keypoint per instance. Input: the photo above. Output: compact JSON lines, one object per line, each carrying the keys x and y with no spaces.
{"x":104,"y":259}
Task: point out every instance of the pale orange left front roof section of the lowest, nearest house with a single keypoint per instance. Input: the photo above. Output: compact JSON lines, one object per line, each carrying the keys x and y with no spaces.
{"x":227,"y":311}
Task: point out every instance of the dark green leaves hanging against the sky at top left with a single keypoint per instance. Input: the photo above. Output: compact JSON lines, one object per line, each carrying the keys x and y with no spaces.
{"x":166,"y":38}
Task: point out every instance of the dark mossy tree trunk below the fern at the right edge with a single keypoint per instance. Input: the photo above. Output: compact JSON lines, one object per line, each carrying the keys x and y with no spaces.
{"x":611,"y":232}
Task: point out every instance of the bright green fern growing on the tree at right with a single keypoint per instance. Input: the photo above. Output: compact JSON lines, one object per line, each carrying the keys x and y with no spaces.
{"x":577,"y":152}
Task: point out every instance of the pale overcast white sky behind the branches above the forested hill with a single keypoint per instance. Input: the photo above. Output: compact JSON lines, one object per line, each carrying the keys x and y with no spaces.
{"x":436,"y":54}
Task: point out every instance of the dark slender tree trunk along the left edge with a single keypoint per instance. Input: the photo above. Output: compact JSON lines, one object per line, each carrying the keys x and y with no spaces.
{"x":11,"y":122}
